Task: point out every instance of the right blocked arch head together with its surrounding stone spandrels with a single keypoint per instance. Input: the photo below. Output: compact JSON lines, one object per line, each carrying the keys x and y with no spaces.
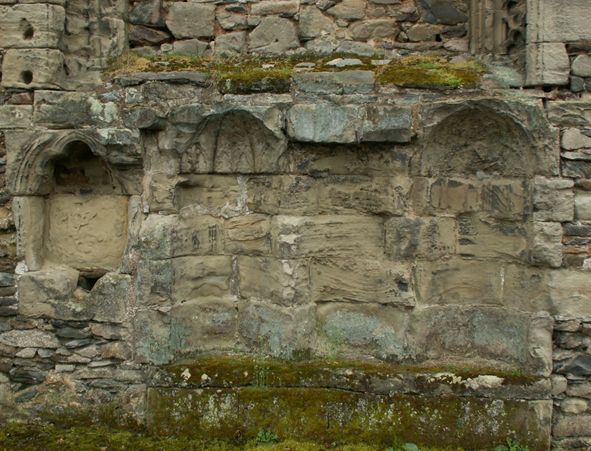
{"x":488,"y":137}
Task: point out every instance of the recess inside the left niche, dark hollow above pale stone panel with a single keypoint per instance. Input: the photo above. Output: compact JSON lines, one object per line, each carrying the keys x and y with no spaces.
{"x":86,"y":212}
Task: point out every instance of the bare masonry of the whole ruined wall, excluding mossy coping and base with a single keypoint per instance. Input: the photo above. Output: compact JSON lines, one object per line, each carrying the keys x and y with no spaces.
{"x":153,"y":218}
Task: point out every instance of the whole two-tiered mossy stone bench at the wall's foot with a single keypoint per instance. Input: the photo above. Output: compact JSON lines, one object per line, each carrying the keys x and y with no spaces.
{"x":348,"y":402}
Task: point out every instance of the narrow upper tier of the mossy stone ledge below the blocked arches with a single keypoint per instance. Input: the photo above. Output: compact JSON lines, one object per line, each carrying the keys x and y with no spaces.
{"x":370,"y":377}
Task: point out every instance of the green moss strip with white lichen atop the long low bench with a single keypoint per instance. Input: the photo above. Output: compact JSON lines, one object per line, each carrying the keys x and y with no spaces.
{"x":238,"y":370}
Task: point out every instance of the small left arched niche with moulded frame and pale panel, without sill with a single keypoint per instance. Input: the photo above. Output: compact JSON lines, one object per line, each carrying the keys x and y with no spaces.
{"x":71,"y":206}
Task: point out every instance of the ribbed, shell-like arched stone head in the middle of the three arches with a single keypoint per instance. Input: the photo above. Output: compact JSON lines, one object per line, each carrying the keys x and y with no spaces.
{"x":234,"y":141}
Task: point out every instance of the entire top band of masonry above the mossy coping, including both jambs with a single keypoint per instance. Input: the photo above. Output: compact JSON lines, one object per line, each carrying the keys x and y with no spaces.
{"x":66,"y":45}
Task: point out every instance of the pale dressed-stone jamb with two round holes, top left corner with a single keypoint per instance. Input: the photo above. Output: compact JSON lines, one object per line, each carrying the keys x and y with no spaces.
{"x":58,"y":44}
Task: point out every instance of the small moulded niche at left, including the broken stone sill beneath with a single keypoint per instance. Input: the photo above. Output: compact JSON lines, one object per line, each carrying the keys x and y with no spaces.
{"x":72,"y":203}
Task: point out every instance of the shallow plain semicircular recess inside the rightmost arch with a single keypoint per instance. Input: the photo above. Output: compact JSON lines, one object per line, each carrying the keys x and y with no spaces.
{"x":477,"y":140}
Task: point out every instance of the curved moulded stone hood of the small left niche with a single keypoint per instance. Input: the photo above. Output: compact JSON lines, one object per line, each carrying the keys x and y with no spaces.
{"x":32,"y":169}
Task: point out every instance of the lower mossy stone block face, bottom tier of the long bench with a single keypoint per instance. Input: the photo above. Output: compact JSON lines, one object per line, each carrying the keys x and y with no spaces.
{"x":328,"y":415}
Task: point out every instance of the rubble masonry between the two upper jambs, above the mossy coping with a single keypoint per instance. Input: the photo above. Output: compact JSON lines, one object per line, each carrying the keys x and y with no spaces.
{"x":278,"y":26}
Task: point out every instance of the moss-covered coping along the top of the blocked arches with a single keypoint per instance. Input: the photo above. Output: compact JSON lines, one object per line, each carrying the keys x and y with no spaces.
{"x":259,"y":73}
